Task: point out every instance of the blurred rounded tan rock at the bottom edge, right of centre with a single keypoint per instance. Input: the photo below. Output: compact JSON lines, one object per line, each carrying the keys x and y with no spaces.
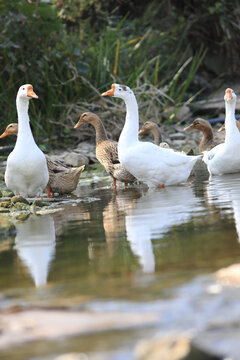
{"x":174,"y":347}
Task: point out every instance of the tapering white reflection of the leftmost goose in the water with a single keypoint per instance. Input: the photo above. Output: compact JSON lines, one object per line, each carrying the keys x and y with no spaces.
{"x":35,"y":245}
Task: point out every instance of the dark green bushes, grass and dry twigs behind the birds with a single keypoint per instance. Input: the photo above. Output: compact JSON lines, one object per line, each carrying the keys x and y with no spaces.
{"x":171,"y":52}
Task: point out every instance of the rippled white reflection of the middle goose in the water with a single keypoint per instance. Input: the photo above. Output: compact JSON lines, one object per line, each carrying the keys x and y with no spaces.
{"x":153,"y":215}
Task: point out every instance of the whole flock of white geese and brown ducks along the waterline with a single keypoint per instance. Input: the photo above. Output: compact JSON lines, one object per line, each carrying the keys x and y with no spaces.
{"x":30,"y":173}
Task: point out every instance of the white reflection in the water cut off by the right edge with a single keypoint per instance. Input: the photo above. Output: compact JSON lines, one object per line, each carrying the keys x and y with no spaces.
{"x":223,"y":192}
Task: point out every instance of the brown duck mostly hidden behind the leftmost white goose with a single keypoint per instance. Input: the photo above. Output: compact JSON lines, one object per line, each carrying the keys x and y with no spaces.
{"x":62,"y":179}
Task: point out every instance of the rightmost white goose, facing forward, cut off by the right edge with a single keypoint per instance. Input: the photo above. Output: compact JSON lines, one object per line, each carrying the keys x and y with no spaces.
{"x":223,"y":158}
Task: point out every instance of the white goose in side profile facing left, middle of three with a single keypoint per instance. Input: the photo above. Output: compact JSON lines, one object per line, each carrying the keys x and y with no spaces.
{"x":149,"y":163}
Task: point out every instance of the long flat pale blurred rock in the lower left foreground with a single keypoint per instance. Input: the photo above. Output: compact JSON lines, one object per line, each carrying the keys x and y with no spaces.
{"x":51,"y":324}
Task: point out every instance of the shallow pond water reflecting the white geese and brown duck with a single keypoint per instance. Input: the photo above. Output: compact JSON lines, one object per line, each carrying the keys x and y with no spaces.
{"x":128,"y":253}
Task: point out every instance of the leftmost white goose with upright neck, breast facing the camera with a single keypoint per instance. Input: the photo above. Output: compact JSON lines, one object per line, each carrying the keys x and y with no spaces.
{"x":26,"y":173}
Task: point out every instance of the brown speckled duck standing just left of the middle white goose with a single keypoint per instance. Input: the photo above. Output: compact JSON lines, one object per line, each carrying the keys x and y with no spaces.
{"x":106,"y":150}
